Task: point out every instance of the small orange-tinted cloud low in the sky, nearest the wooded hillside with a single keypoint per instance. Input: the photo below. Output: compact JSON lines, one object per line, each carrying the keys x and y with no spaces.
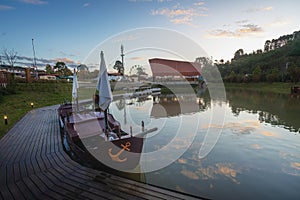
{"x":243,"y":31}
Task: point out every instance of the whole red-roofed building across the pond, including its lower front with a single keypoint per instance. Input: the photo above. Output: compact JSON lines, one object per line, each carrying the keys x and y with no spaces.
{"x":173,"y":70}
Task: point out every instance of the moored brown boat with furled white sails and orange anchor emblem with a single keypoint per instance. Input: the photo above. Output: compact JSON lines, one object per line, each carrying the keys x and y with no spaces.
{"x":96,"y":137}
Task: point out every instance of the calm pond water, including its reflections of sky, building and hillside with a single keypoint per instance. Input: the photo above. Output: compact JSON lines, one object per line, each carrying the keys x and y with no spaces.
{"x":257,"y":155}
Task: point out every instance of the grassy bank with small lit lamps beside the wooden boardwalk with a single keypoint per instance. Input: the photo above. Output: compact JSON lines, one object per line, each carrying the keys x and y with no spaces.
{"x":41,"y":94}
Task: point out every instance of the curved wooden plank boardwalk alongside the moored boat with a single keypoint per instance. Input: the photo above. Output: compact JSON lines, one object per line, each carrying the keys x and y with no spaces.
{"x":34,"y":166}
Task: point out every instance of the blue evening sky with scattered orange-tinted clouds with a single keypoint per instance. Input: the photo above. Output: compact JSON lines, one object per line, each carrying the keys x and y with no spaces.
{"x":68,"y":30}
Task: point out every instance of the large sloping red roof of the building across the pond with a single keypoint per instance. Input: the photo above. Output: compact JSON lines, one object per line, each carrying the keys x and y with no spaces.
{"x":164,"y":67}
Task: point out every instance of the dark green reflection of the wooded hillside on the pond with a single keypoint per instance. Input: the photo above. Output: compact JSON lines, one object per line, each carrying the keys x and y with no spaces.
{"x":275,"y":109}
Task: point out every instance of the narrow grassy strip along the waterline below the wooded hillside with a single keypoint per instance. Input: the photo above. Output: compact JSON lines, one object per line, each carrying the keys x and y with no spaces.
{"x":279,"y":88}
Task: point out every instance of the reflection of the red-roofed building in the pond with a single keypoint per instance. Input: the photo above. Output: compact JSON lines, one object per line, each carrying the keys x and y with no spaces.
{"x":172,"y":105}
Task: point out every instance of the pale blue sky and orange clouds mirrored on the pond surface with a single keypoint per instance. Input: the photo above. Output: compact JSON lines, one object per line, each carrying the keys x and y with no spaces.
{"x":251,"y":160}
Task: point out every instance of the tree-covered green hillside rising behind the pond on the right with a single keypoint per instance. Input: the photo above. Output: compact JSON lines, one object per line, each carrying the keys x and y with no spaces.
{"x":280,"y":61}
